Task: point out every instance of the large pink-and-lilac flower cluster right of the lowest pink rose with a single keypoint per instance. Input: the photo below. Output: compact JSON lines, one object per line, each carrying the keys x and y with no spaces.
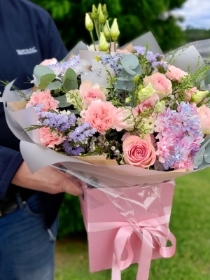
{"x":179,"y":136}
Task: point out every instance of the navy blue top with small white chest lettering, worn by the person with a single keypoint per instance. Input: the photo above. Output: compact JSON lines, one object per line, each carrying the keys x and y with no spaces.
{"x":28,"y":35}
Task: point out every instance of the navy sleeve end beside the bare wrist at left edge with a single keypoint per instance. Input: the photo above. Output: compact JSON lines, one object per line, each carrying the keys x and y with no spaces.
{"x":10,"y":160}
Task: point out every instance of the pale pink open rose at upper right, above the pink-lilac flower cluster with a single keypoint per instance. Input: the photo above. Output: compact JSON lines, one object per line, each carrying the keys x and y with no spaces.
{"x":160,"y":83}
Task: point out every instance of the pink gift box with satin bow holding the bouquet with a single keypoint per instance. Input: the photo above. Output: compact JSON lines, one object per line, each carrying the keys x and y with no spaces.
{"x":128,"y":225}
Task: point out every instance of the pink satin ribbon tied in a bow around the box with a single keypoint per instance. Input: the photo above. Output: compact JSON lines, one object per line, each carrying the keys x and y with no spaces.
{"x":149,"y":230}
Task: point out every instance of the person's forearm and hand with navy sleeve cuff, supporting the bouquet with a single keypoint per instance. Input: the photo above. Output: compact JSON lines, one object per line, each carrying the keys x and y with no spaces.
{"x":14,"y":170}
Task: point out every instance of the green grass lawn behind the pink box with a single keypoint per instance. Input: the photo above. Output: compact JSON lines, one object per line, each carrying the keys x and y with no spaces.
{"x":190,"y":223}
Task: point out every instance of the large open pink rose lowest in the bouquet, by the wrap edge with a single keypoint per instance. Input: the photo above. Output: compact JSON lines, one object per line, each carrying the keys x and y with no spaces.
{"x":139,"y":152}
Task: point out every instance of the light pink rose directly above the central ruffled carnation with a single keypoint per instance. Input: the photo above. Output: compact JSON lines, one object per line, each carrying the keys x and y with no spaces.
{"x":90,"y":92}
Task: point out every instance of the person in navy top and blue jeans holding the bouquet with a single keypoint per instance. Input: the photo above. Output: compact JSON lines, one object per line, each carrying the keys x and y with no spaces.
{"x":29,"y":203}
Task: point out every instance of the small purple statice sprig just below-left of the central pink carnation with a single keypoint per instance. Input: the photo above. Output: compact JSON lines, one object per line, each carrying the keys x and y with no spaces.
{"x":81,"y":133}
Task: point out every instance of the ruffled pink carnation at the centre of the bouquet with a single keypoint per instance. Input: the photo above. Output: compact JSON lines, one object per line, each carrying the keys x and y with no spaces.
{"x":100,"y":115}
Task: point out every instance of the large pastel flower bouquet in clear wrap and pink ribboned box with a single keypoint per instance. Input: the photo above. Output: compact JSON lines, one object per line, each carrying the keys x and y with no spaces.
{"x":126,"y":122}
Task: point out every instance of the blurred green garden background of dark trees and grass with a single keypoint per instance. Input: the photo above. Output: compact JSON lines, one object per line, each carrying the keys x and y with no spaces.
{"x":190,"y":220}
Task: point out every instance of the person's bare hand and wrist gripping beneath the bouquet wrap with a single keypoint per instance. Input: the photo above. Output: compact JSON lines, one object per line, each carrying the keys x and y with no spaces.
{"x":47,"y":179}
